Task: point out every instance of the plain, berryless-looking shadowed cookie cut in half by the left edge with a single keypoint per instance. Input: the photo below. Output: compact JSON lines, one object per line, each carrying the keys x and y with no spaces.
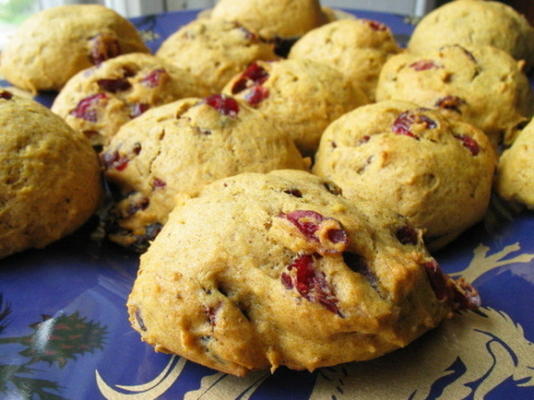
{"x":49,"y":176}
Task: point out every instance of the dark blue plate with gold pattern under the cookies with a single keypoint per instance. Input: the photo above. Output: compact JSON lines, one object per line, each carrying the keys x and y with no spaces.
{"x":64,"y":332}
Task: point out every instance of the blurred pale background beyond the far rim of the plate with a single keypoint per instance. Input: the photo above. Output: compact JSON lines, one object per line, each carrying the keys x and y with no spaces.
{"x":13,"y":12}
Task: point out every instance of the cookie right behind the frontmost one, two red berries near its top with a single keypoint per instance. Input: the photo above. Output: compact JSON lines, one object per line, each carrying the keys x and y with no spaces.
{"x":423,"y":164}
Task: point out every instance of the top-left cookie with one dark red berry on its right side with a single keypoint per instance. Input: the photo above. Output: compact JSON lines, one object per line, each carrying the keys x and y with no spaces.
{"x":53,"y":45}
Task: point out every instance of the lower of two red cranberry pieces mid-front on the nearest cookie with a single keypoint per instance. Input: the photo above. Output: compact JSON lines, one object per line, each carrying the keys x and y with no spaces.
{"x":310,"y":283}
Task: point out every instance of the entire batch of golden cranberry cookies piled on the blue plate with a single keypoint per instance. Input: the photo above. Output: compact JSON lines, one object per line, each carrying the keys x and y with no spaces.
{"x":284,"y":198}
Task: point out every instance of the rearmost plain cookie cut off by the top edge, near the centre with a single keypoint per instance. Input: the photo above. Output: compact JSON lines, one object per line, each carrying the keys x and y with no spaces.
{"x":272,"y":18}
